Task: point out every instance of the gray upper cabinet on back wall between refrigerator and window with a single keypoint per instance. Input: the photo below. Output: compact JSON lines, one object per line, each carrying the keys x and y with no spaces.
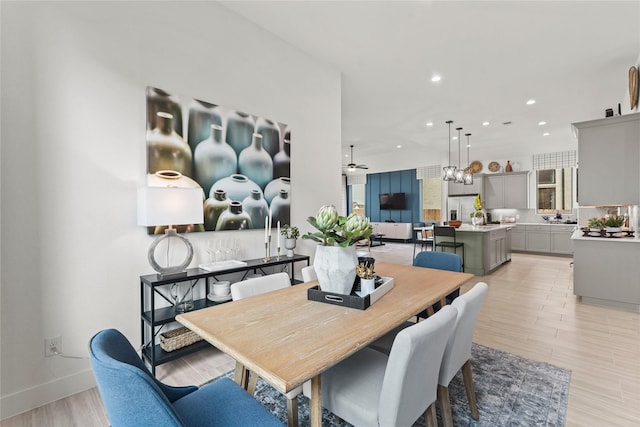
{"x":506,"y":190}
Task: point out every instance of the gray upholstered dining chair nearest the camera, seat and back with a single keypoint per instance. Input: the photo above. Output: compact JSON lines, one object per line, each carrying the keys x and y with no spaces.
{"x":370,"y":388}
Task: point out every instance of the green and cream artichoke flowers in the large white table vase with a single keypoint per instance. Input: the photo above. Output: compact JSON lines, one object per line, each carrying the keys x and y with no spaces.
{"x":336,"y":230}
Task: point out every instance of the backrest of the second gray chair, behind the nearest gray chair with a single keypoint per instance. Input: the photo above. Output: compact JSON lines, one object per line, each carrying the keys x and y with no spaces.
{"x":458,"y":349}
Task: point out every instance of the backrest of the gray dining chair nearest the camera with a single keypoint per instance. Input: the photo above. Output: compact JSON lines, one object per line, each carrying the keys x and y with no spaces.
{"x":411,"y":376}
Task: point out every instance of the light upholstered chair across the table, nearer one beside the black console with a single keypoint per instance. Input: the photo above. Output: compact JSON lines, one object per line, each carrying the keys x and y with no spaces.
{"x":256,"y":286}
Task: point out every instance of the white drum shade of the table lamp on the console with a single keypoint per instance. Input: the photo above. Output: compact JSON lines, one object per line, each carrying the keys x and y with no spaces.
{"x":170,"y":206}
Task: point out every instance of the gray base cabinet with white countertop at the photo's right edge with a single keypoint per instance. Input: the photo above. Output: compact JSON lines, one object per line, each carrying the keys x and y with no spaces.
{"x":606,"y":270}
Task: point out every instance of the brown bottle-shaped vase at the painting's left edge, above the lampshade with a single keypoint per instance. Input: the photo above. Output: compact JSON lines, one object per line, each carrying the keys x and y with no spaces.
{"x":166,"y":150}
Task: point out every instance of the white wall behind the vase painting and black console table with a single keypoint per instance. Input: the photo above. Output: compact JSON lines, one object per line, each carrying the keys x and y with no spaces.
{"x":73,"y":153}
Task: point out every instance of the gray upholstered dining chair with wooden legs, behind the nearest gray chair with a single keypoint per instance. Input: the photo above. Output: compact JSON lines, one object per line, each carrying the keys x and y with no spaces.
{"x":457,"y":354}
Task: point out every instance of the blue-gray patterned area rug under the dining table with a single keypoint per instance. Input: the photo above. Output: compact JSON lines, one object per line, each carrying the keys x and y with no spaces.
{"x":511,"y":391}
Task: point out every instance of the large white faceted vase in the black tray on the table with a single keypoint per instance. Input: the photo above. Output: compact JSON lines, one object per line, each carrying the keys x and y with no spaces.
{"x":336,"y":268}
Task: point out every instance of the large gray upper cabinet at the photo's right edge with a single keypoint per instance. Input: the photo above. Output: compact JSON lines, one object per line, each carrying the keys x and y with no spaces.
{"x":609,"y":161}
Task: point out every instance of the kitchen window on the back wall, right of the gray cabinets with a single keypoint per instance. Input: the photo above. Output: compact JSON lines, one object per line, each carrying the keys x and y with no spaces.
{"x":553,"y":190}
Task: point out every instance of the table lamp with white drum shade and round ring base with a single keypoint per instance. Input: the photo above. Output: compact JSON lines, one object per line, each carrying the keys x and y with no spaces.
{"x":170,"y":206}
